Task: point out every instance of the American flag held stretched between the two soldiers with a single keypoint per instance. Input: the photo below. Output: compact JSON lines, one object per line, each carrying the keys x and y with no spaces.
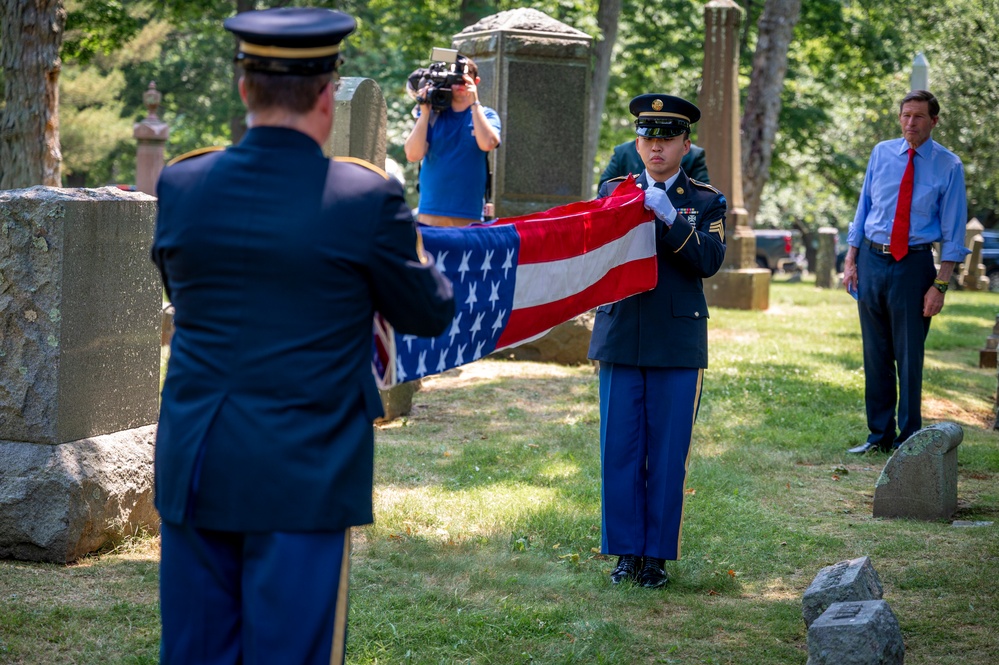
{"x":517,"y":278}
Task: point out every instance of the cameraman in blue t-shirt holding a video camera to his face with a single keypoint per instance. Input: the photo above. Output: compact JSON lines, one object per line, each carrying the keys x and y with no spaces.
{"x":453,"y":144}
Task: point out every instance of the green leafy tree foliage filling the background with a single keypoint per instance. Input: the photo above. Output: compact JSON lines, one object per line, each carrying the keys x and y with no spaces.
{"x":849,"y":63}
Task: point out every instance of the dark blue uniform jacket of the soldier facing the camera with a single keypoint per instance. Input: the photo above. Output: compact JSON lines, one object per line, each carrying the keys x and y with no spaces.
{"x":668,"y":326}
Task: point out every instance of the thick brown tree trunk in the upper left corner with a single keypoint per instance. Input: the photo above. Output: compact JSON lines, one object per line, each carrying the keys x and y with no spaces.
{"x":31,"y":33}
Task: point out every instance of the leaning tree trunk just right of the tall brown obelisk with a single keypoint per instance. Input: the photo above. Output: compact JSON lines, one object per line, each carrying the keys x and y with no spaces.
{"x":759,"y":122}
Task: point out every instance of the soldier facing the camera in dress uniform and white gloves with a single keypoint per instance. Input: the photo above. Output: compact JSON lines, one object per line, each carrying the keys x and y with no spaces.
{"x":653,"y":349}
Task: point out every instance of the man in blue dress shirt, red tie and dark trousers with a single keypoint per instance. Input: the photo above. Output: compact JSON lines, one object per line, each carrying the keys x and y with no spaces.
{"x":913,"y":195}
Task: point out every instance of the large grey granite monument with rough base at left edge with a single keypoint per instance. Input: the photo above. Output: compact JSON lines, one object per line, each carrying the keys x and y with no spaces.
{"x":79,"y":369}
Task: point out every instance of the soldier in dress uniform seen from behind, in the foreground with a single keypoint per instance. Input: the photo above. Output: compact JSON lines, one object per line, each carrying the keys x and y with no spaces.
{"x":276,"y":260}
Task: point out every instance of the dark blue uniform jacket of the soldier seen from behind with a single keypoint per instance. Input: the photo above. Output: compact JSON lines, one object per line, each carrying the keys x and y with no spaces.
{"x":276,"y":259}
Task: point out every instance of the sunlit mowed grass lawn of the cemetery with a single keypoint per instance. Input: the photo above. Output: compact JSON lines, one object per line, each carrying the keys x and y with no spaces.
{"x":485,"y":546}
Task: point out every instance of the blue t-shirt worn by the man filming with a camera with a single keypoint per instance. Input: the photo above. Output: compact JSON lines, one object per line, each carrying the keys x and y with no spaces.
{"x":453,"y":173}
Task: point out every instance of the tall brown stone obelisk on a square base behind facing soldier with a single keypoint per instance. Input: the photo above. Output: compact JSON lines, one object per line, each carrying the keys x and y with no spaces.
{"x":739,"y":284}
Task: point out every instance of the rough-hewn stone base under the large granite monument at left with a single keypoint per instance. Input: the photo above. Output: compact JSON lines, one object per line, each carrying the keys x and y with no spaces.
{"x":60,"y":502}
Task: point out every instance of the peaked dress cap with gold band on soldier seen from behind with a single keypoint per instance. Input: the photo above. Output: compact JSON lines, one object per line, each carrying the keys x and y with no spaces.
{"x":290,"y":40}
